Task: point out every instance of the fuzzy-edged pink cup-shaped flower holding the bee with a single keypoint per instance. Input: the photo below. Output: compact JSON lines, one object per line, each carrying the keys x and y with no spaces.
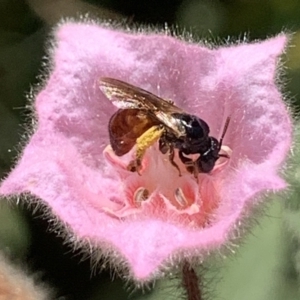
{"x":146,"y":223}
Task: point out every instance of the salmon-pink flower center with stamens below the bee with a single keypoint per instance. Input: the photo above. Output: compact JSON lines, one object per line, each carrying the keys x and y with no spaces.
{"x":160,"y":192}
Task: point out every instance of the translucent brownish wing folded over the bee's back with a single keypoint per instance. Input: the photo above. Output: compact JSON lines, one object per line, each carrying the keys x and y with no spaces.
{"x":127,"y":96}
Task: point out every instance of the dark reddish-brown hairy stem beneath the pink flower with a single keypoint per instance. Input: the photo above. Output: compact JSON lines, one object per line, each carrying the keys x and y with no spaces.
{"x":191,"y":282}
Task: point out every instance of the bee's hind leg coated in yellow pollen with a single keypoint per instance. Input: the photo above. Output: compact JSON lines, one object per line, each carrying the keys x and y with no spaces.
{"x":147,"y":139}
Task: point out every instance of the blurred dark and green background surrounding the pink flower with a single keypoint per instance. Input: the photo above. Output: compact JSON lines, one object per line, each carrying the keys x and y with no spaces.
{"x":266,"y":266}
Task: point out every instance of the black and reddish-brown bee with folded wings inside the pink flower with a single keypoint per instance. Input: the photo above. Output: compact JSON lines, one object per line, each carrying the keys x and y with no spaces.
{"x":144,"y":118}
